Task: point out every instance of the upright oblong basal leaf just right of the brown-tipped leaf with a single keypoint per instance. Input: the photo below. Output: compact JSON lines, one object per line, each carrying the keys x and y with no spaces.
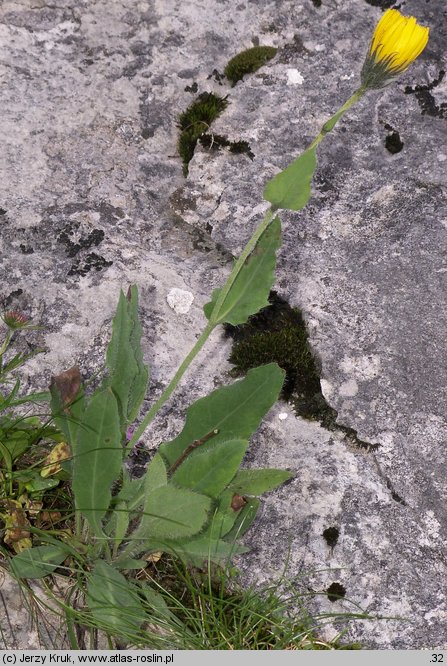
{"x":97,"y":458}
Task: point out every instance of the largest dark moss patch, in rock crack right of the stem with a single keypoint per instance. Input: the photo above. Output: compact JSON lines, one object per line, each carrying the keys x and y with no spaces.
{"x":278,"y":334}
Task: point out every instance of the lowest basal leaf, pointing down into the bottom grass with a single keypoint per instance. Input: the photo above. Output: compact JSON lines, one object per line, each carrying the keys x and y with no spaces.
{"x":112,"y":601}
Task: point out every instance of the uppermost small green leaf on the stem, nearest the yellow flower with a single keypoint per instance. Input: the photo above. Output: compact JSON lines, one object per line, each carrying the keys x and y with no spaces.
{"x":290,"y":189}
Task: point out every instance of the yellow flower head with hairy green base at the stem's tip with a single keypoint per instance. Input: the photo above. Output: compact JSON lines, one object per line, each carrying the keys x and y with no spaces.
{"x":396,"y":42}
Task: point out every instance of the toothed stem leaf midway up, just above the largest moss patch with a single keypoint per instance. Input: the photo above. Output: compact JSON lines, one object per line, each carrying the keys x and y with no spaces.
{"x":249,"y":293}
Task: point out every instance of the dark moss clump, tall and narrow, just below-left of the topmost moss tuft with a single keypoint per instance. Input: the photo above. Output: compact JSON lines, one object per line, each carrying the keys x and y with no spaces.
{"x":195,"y":121}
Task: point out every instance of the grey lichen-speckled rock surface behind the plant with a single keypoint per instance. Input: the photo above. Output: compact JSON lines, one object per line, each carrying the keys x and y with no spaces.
{"x":93,"y":198}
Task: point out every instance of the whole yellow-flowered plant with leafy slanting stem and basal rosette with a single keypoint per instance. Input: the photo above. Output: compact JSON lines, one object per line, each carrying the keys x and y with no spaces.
{"x":193,"y":501}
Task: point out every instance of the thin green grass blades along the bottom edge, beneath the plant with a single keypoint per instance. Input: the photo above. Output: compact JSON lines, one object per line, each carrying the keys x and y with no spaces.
{"x":196,"y":610}
